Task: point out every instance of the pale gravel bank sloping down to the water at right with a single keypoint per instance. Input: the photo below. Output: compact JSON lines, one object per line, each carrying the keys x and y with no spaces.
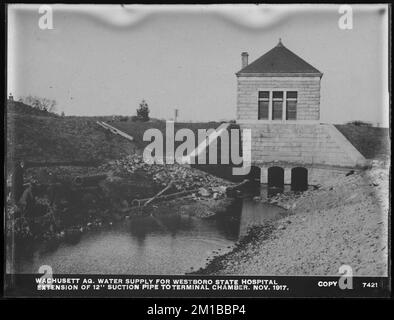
{"x":345,"y":221}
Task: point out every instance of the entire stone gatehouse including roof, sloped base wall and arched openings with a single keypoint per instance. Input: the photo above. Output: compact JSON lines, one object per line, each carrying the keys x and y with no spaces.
{"x":278,"y":98}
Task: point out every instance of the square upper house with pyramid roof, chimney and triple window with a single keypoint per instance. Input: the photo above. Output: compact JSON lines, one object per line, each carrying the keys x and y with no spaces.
{"x":279,"y":86}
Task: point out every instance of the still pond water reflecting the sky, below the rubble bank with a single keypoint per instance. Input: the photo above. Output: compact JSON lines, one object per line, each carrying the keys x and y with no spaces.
{"x":164,"y":244}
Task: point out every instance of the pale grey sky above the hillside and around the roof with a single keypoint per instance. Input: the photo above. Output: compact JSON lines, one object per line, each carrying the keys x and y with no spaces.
{"x":103,"y":60}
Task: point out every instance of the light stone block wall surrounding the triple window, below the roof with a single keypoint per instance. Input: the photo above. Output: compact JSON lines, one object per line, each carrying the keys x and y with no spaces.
{"x":308,"y":104}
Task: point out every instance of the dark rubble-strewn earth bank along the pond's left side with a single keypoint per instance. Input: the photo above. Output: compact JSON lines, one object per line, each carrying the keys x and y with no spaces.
{"x":57,"y":207}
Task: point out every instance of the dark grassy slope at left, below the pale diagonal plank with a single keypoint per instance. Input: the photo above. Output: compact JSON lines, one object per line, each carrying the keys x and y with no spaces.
{"x":39,"y":138}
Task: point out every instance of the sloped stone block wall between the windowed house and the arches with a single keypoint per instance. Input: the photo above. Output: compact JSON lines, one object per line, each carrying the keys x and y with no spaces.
{"x":304,"y":144}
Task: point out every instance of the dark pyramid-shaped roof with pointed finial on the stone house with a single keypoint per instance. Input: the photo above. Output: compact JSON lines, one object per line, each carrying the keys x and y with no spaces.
{"x":279,"y":61}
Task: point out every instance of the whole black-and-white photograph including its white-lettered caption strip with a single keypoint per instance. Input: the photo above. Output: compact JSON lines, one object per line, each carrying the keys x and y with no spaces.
{"x":197,"y":150}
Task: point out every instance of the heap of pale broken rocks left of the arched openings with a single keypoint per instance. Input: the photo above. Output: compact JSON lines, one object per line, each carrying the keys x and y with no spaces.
{"x":182,"y":177}
